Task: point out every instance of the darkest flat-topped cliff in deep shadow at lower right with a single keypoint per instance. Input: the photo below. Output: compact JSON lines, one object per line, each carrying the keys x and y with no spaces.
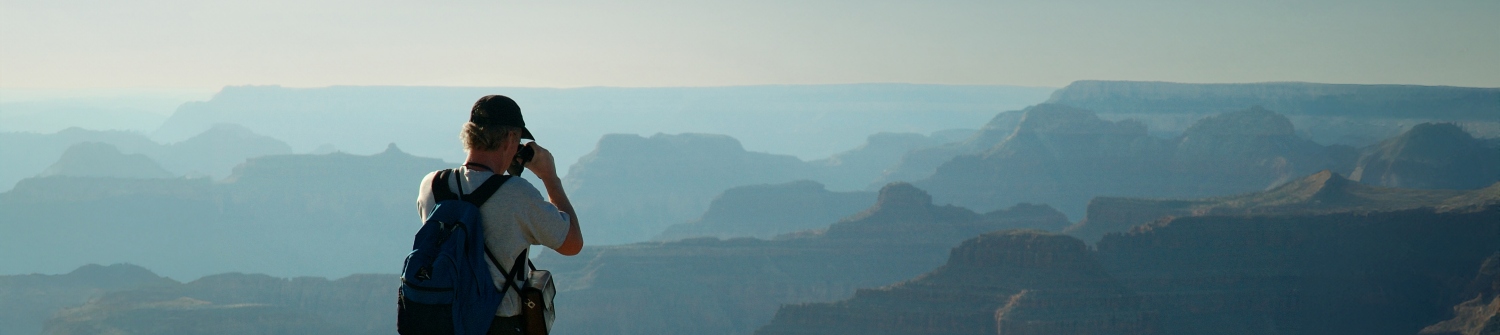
{"x":1355,"y":273}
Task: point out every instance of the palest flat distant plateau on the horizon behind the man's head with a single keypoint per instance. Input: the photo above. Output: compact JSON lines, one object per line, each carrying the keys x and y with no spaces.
{"x":805,"y":121}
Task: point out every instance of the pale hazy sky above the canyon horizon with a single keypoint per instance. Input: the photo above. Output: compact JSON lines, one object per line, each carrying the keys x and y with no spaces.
{"x":194,"y":44}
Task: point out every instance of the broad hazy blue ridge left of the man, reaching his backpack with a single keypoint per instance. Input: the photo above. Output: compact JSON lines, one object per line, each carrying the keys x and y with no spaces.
{"x":274,"y":217}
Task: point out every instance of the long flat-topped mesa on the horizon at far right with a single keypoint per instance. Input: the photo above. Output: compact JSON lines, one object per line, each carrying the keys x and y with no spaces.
{"x":1351,"y":115}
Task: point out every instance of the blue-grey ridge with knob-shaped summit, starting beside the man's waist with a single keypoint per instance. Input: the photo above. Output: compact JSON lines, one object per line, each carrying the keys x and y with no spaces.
{"x":716,"y":286}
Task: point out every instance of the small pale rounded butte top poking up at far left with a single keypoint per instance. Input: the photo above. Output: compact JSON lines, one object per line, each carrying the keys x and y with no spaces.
{"x":101,"y":160}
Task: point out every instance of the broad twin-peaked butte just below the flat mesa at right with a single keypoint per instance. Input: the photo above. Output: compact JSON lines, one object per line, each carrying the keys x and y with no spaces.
{"x":1066,"y":157}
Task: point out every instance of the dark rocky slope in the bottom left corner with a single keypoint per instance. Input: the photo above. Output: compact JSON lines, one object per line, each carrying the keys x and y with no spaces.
{"x":28,"y":301}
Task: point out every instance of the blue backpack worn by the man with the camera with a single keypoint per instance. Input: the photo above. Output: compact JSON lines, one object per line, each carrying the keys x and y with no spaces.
{"x":445,"y":285}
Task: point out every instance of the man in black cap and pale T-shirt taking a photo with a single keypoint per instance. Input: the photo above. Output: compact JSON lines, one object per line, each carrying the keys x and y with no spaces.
{"x":517,"y":217}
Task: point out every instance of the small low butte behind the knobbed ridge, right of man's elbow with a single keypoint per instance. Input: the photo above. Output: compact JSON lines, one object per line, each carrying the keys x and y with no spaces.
{"x":767,"y":211}
